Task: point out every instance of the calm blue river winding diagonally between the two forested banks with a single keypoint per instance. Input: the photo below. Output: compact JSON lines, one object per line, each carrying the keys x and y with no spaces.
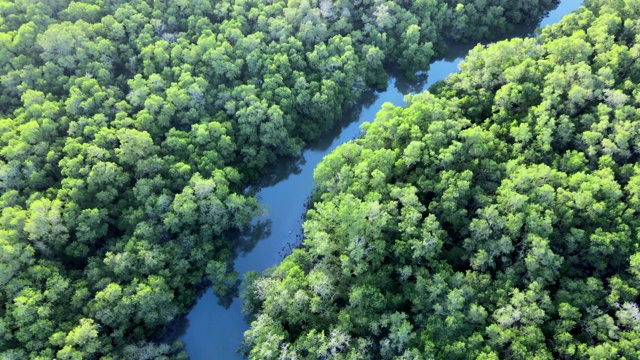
{"x":213,"y":331}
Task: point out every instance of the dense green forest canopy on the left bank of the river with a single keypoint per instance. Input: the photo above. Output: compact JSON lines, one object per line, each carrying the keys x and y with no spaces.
{"x":128,"y":130}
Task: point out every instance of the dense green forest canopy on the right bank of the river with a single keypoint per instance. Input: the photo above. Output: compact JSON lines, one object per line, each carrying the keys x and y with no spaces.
{"x":493,"y":217}
